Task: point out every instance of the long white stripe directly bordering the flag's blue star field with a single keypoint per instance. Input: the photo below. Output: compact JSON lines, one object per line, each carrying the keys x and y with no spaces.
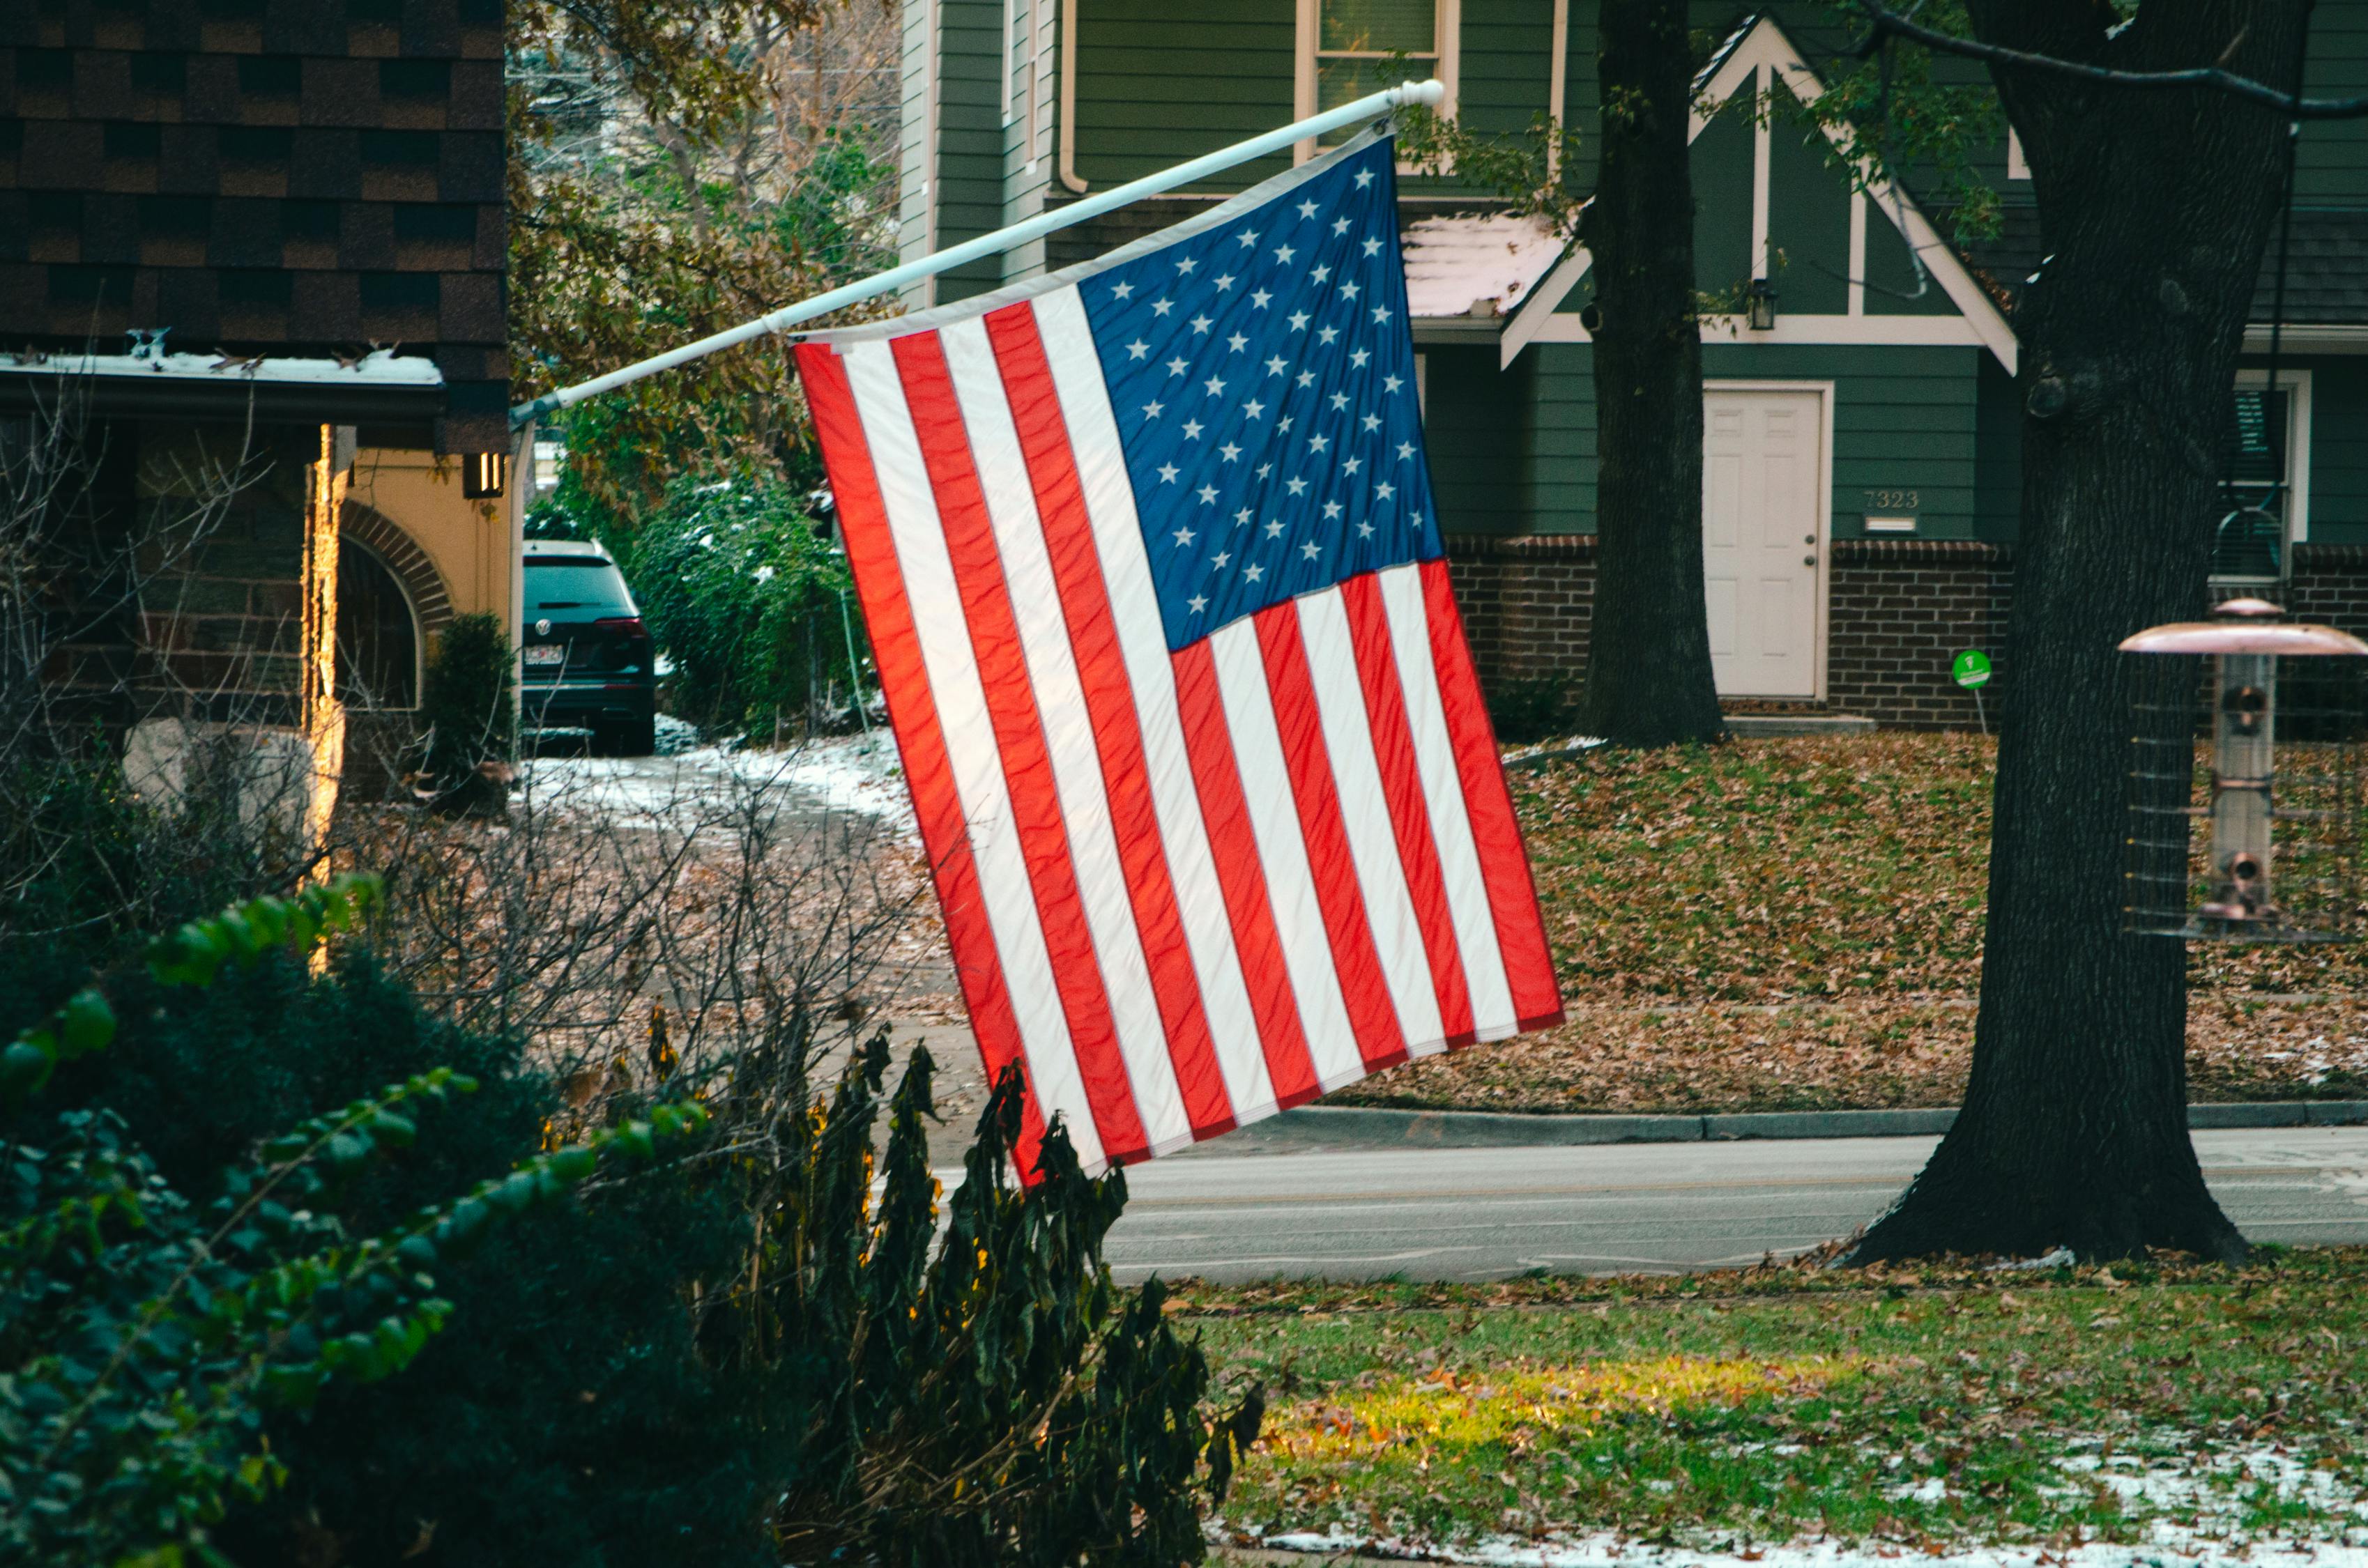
{"x":1135,"y":610}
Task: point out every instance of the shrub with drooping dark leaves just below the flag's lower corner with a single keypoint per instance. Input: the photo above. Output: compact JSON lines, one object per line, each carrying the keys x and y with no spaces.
{"x":996,"y":1401}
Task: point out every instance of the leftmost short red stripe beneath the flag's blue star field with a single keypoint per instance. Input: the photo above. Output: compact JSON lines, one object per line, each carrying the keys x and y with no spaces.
{"x":1233,"y":842}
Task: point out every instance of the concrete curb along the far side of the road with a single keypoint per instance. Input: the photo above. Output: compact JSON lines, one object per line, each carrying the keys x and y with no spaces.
{"x":1382,"y":1129}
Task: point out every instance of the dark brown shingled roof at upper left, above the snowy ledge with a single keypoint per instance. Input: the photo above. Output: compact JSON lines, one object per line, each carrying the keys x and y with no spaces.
{"x":262,"y":176}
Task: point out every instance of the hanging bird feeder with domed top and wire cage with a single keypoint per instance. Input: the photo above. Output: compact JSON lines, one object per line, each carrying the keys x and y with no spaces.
{"x":2248,"y":733}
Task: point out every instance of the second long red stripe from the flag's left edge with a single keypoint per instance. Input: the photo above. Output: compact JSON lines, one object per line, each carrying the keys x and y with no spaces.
{"x":1019,"y":738}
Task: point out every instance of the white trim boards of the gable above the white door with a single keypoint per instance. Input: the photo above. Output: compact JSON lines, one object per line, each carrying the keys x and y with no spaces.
{"x":1756,"y":58}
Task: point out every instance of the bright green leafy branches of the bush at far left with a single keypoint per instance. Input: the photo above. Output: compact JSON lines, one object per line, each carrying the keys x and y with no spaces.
{"x":148,"y":1332}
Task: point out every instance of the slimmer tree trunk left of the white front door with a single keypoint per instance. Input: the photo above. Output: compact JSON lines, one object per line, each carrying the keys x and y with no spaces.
{"x":1649,"y":645}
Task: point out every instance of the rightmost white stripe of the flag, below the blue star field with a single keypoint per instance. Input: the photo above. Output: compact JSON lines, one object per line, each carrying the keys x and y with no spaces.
{"x":1443,"y":792}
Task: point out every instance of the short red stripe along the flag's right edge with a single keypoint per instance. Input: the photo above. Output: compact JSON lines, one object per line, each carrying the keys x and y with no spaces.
{"x":1505,"y":863}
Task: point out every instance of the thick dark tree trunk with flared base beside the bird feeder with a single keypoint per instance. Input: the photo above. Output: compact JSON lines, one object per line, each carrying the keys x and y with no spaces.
{"x":2154,"y":212}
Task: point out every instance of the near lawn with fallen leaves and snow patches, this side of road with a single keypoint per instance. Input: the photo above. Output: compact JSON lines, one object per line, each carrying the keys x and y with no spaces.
{"x":1938,"y":1406}
